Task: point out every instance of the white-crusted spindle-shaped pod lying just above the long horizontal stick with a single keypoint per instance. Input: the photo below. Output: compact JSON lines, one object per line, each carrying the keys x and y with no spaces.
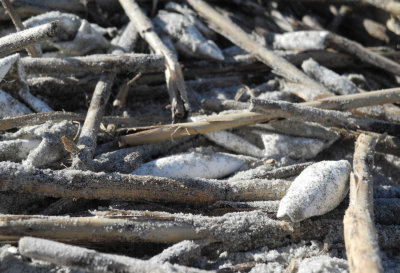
{"x":193,"y":165}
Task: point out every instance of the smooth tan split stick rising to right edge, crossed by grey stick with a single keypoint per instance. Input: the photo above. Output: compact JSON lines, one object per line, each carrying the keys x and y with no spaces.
{"x":227,"y":121}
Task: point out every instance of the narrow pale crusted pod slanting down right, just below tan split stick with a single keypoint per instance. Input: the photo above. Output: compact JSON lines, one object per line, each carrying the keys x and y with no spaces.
{"x":234,"y":143}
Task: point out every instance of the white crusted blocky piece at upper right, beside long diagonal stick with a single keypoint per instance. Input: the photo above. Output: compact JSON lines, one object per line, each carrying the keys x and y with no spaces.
{"x":300,"y":40}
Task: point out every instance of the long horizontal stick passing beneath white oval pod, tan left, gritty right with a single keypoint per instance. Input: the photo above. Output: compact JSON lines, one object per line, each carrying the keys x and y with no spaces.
{"x":236,"y":231}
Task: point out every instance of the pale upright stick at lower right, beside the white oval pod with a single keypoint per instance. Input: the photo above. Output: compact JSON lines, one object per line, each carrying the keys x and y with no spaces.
{"x":359,"y":231}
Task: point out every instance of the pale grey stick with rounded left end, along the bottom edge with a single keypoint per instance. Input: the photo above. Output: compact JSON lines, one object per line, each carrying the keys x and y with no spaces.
{"x":92,"y":261}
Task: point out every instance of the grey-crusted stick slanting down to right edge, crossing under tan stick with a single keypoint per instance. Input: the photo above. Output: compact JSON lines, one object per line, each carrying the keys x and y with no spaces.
{"x":327,"y":117}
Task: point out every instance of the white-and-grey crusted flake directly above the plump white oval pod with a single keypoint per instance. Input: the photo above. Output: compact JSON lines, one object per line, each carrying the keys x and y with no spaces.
{"x":277,"y":145}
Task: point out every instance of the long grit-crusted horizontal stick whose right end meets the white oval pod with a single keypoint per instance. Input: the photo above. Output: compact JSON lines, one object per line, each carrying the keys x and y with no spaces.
{"x":116,"y":186}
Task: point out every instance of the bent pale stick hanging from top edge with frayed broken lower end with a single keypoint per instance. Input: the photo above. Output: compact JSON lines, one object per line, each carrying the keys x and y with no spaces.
{"x":173,"y":74}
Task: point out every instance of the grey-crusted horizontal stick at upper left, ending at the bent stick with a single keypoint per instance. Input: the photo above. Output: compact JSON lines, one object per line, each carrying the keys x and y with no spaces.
{"x":95,"y":63}
